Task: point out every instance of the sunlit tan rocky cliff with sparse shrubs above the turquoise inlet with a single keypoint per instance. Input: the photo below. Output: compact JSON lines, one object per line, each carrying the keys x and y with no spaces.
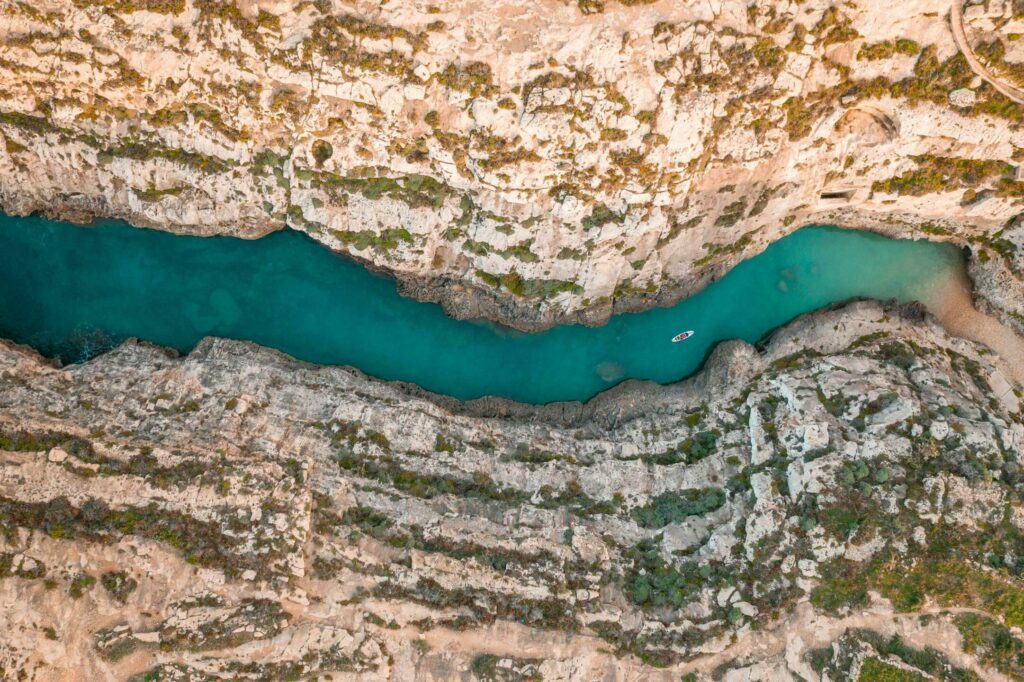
{"x":530,"y":162}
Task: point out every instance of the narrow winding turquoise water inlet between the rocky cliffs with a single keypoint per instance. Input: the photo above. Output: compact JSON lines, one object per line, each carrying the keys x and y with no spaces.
{"x":73,"y":292}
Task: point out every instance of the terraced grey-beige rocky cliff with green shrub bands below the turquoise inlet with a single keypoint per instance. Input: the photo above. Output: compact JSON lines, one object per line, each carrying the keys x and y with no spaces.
{"x":846,"y":503}
